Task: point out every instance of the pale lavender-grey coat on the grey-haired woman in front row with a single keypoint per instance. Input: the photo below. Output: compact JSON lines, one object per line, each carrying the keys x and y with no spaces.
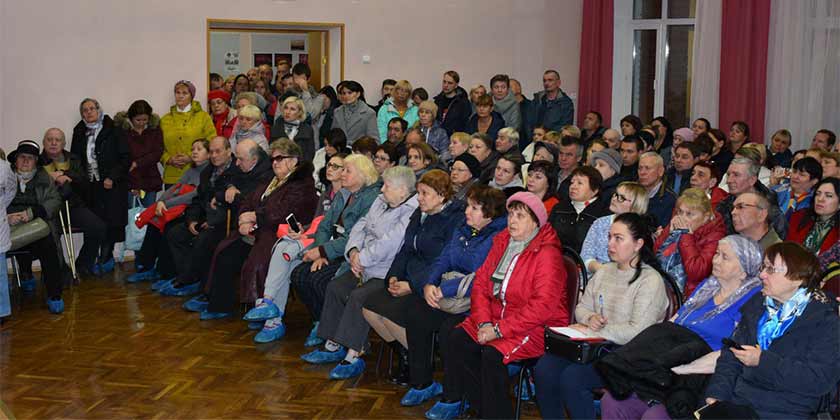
{"x":378,"y":236}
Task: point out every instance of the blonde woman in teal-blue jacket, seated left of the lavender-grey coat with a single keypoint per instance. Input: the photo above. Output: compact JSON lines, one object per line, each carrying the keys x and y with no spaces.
{"x":323,"y":258}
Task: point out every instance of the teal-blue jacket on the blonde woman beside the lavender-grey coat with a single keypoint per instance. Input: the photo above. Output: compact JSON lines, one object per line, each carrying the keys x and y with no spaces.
{"x":333,"y":247}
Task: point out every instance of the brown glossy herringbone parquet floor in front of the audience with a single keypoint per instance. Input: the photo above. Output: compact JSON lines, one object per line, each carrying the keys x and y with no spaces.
{"x":122,"y":351}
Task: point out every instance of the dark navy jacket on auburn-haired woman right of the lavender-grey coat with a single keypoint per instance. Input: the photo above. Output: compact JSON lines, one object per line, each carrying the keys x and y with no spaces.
{"x":423,"y":243}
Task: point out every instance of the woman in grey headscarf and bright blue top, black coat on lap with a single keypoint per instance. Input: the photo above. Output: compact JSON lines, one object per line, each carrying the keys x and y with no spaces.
{"x":708,"y":316}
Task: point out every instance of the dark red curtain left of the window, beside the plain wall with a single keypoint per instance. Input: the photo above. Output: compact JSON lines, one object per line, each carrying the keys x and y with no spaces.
{"x":596,"y":46}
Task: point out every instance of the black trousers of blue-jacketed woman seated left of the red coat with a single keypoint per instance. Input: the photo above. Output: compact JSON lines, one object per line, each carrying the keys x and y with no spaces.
{"x":422,"y":322}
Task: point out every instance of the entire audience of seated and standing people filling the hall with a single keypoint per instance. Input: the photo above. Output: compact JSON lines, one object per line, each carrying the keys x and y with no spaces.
{"x":444,"y":225}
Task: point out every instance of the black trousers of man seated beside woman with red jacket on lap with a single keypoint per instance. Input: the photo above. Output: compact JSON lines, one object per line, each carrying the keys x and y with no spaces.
{"x":192,"y":254}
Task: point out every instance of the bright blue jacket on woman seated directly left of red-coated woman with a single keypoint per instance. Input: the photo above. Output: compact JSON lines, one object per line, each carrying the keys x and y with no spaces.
{"x":464,"y":253}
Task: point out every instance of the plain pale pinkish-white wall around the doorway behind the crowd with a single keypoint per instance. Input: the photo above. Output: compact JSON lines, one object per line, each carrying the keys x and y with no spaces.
{"x":56,"y":53}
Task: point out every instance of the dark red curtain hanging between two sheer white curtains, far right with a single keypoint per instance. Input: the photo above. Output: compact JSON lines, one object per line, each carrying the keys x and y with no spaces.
{"x":745,"y":28}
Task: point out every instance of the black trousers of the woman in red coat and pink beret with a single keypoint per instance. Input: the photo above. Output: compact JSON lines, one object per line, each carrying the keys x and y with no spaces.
{"x":479,"y":374}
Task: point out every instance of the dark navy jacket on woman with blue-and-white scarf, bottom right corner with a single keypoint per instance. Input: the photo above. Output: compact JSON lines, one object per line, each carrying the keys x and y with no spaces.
{"x":794,"y":373}
